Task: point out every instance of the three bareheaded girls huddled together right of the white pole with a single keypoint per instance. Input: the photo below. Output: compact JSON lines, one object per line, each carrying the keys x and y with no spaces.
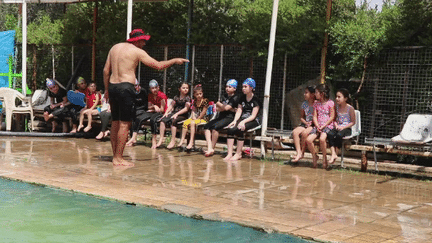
{"x":321,"y":119}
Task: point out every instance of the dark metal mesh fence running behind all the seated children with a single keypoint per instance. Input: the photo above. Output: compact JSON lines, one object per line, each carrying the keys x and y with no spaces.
{"x":398,"y":81}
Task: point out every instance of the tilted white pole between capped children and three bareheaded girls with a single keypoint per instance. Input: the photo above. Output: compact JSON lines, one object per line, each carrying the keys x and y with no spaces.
{"x":269,"y":73}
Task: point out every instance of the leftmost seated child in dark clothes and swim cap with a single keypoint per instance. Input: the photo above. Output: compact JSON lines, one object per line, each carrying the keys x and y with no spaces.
{"x":58,"y":107}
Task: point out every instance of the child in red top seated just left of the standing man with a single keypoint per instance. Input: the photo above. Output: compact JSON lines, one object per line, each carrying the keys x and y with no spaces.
{"x":93,"y":99}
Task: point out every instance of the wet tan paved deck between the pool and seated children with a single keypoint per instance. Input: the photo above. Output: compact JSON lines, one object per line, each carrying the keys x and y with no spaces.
{"x":336,"y":205}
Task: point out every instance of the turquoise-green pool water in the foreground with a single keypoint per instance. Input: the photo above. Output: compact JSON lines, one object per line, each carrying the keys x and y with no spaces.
{"x":30,"y":213}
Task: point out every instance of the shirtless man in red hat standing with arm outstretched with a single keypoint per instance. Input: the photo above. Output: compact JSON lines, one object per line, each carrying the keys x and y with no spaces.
{"x":119,"y":80}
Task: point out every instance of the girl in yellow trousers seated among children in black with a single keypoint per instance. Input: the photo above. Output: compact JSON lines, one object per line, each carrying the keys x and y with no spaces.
{"x":198,"y":116}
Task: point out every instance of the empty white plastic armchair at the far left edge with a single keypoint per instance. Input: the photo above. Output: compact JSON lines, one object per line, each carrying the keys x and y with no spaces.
{"x":8,"y":97}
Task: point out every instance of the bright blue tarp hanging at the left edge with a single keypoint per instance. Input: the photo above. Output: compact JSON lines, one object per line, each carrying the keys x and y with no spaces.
{"x":7,"y":44}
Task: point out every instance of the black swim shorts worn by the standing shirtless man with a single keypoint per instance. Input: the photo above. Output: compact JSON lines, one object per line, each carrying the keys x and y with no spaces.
{"x":122,"y":99}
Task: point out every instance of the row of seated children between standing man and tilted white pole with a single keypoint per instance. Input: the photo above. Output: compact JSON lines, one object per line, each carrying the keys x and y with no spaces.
{"x":237,"y":113}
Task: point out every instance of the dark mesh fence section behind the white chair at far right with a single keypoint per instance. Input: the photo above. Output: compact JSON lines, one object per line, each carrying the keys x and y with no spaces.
{"x":398,"y":83}
